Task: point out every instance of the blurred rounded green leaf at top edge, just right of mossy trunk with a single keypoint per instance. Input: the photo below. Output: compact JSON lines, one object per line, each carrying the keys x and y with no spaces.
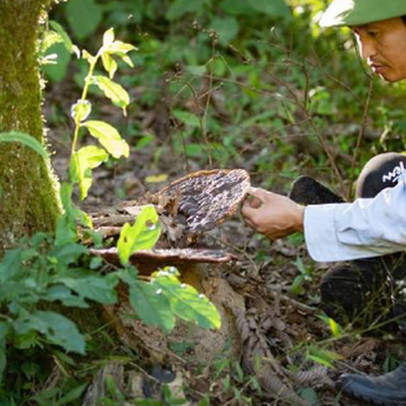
{"x":83,"y":16}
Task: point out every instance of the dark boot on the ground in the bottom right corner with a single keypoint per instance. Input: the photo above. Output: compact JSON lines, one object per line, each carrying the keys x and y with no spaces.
{"x":386,"y":390}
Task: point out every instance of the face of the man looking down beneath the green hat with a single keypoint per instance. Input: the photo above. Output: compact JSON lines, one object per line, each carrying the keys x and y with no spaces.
{"x":383,"y":45}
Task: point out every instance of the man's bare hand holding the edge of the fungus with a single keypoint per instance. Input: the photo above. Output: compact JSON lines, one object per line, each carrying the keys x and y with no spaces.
{"x":271,"y":214}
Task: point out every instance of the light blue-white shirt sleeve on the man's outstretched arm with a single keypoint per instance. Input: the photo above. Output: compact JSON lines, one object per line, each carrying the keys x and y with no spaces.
{"x":362,"y":229}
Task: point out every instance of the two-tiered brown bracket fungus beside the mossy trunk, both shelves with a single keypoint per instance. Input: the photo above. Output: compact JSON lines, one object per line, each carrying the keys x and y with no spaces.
{"x":200,"y":201}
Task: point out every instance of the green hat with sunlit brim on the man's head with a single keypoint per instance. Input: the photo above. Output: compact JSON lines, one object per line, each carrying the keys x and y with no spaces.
{"x":359,"y":12}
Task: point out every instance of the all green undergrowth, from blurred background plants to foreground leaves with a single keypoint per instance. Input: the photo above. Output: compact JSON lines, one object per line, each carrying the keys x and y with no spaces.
{"x":234,"y":83}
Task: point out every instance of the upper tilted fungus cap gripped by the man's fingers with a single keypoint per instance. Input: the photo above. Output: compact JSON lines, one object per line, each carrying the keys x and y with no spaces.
{"x":207,"y":198}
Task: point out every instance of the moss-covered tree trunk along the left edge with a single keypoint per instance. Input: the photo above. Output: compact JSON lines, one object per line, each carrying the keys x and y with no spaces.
{"x":29,"y":200}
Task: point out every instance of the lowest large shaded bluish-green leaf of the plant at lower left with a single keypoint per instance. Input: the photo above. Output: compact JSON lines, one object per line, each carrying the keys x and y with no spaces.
{"x":56,"y":328}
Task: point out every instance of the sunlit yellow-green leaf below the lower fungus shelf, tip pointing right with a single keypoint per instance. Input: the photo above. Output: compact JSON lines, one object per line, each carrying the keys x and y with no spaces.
{"x":186,"y":302}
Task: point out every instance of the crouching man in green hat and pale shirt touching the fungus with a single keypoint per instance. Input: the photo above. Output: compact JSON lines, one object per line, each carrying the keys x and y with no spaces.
{"x":370,"y":233}
